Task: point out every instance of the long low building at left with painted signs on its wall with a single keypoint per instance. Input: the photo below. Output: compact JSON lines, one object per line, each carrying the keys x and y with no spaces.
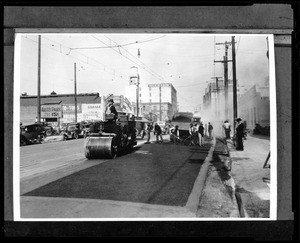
{"x":60,"y":108}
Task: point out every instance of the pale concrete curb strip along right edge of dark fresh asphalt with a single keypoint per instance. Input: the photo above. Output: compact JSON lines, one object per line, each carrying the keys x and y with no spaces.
{"x":194,"y":198}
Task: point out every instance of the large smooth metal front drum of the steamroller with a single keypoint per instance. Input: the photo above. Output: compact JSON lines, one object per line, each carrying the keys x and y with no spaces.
{"x":100,"y":148}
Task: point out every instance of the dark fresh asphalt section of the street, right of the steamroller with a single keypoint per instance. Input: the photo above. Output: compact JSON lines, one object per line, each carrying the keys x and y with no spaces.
{"x":154,"y":174}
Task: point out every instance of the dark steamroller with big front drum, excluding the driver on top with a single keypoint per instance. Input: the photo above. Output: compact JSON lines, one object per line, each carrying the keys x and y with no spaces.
{"x":110,"y":138}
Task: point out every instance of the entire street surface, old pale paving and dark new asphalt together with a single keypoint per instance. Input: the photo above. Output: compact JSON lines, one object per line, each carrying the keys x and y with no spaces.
{"x":155,"y":177}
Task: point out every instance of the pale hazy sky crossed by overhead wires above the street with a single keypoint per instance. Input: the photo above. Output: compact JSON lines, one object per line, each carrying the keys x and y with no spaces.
{"x":104,"y":62}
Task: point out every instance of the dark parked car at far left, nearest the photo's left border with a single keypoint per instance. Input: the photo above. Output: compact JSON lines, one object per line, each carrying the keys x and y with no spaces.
{"x":34,"y":133}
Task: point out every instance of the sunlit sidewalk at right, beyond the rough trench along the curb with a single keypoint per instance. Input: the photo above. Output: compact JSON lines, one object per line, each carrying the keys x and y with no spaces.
{"x":251,"y":179}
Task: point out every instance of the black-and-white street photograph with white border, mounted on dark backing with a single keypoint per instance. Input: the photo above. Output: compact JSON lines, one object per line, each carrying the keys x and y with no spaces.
{"x":143,"y":126}
